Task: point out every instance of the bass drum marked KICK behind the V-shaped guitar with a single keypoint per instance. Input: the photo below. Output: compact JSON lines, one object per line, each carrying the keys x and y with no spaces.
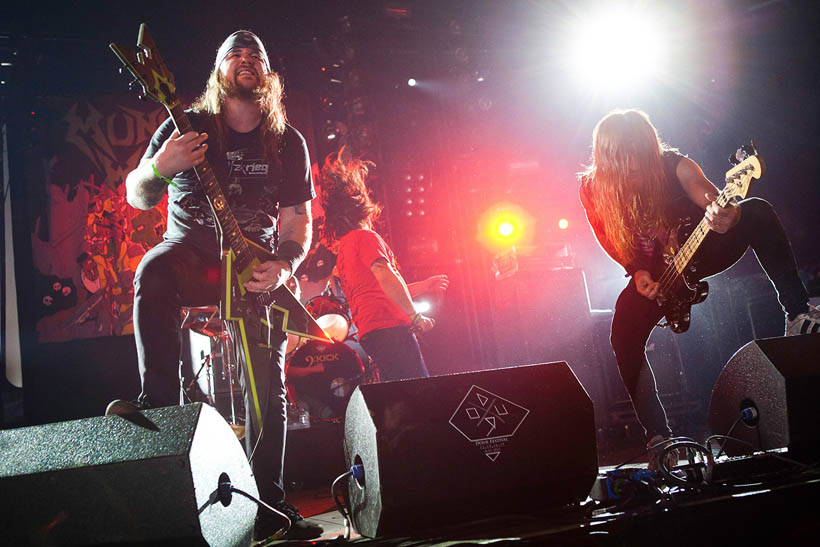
{"x":321,"y":376}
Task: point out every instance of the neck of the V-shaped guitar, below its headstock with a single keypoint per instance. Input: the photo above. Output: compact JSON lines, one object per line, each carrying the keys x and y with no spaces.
{"x":213,"y":190}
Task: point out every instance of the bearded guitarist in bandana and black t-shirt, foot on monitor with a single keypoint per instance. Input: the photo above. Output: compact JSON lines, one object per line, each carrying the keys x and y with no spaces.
{"x":262,"y":163}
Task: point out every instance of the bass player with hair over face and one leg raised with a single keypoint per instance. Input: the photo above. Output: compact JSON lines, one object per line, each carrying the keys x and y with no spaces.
{"x":634,"y":192}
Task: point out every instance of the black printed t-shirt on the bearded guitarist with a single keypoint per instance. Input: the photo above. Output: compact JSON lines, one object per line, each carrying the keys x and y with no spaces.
{"x":254,"y":186}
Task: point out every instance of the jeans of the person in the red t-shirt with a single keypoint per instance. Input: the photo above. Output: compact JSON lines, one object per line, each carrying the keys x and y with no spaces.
{"x":396,"y":352}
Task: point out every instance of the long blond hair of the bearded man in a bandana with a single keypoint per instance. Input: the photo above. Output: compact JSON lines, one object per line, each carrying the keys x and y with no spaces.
{"x":269,"y":97}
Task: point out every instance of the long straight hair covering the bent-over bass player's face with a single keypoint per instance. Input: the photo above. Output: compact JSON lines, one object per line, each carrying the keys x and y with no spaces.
{"x":626,"y":180}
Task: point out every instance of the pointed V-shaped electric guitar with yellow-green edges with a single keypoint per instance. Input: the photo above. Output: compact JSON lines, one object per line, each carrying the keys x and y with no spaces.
{"x":255,"y":313}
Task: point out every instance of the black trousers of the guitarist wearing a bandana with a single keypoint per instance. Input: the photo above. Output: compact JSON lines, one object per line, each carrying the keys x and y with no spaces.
{"x":173,"y":275}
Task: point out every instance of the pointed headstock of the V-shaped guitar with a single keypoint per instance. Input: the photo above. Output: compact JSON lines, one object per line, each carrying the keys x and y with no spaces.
{"x":149,"y":70}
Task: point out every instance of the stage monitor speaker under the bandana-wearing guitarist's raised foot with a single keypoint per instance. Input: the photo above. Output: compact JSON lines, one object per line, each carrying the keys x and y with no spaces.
{"x":141,"y":479}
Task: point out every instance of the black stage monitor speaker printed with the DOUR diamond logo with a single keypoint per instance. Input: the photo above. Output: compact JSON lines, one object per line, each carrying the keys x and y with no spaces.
{"x":463,"y":447}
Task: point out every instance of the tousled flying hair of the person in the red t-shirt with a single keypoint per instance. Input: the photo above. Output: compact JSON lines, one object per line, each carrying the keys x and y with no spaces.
{"x":345,"y":197}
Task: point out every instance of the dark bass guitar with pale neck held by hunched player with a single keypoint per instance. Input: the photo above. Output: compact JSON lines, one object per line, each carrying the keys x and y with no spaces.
{"x":680,"y":286}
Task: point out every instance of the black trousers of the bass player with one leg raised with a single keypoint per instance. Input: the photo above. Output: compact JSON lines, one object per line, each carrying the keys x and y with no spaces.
{"x":636,"y":316}
